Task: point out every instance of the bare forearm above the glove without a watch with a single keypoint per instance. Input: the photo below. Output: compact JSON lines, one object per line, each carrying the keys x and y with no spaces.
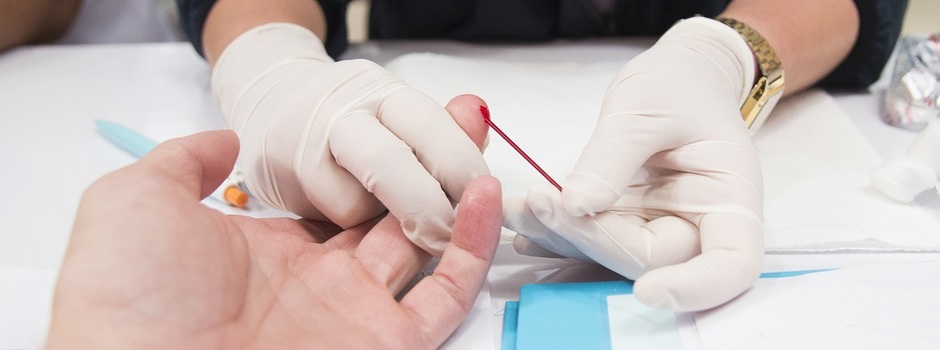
{"x":230,"y":18}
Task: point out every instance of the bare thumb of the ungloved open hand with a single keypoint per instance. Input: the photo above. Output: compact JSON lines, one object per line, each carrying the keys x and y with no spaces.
{"x":198,"y":163}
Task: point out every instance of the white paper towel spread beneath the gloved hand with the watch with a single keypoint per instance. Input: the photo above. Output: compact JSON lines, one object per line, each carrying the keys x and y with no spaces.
{"x":815,"y":162}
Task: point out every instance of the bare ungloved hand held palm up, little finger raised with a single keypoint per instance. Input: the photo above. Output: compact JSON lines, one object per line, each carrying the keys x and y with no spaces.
{"x":150,"y":266}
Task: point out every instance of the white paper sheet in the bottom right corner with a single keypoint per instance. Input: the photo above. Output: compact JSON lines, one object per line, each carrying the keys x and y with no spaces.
{"x":892,"y":306}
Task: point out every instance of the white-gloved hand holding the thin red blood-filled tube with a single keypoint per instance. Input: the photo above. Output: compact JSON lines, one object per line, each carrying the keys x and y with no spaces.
{"x":668,"y":190}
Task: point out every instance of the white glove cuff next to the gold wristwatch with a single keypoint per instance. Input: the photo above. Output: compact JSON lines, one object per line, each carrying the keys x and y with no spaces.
{"x":711,"y":32}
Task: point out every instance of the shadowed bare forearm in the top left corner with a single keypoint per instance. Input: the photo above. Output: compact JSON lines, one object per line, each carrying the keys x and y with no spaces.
{"x":34,"y":21}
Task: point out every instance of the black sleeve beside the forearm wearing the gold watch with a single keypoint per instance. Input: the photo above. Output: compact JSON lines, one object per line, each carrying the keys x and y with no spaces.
{"x":880,"y":26}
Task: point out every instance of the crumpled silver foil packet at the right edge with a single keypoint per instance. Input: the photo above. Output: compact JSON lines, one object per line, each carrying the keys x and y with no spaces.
{"x":913,"y":93}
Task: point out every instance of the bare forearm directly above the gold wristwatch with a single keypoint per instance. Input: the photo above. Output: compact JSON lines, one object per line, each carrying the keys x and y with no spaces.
{"x":811,"y":37}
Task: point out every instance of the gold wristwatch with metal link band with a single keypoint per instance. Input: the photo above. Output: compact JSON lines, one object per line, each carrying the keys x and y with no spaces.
{"x":769,"y":86}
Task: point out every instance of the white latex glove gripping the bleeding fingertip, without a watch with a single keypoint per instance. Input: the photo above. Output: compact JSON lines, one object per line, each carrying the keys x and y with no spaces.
{"x":341,"y":141}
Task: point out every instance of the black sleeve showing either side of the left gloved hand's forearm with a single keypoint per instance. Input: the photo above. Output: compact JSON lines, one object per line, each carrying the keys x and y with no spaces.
{"x":193,"y":15}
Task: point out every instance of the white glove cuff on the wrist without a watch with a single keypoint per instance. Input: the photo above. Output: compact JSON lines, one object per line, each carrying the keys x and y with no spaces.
{"x":254,"y":54}
